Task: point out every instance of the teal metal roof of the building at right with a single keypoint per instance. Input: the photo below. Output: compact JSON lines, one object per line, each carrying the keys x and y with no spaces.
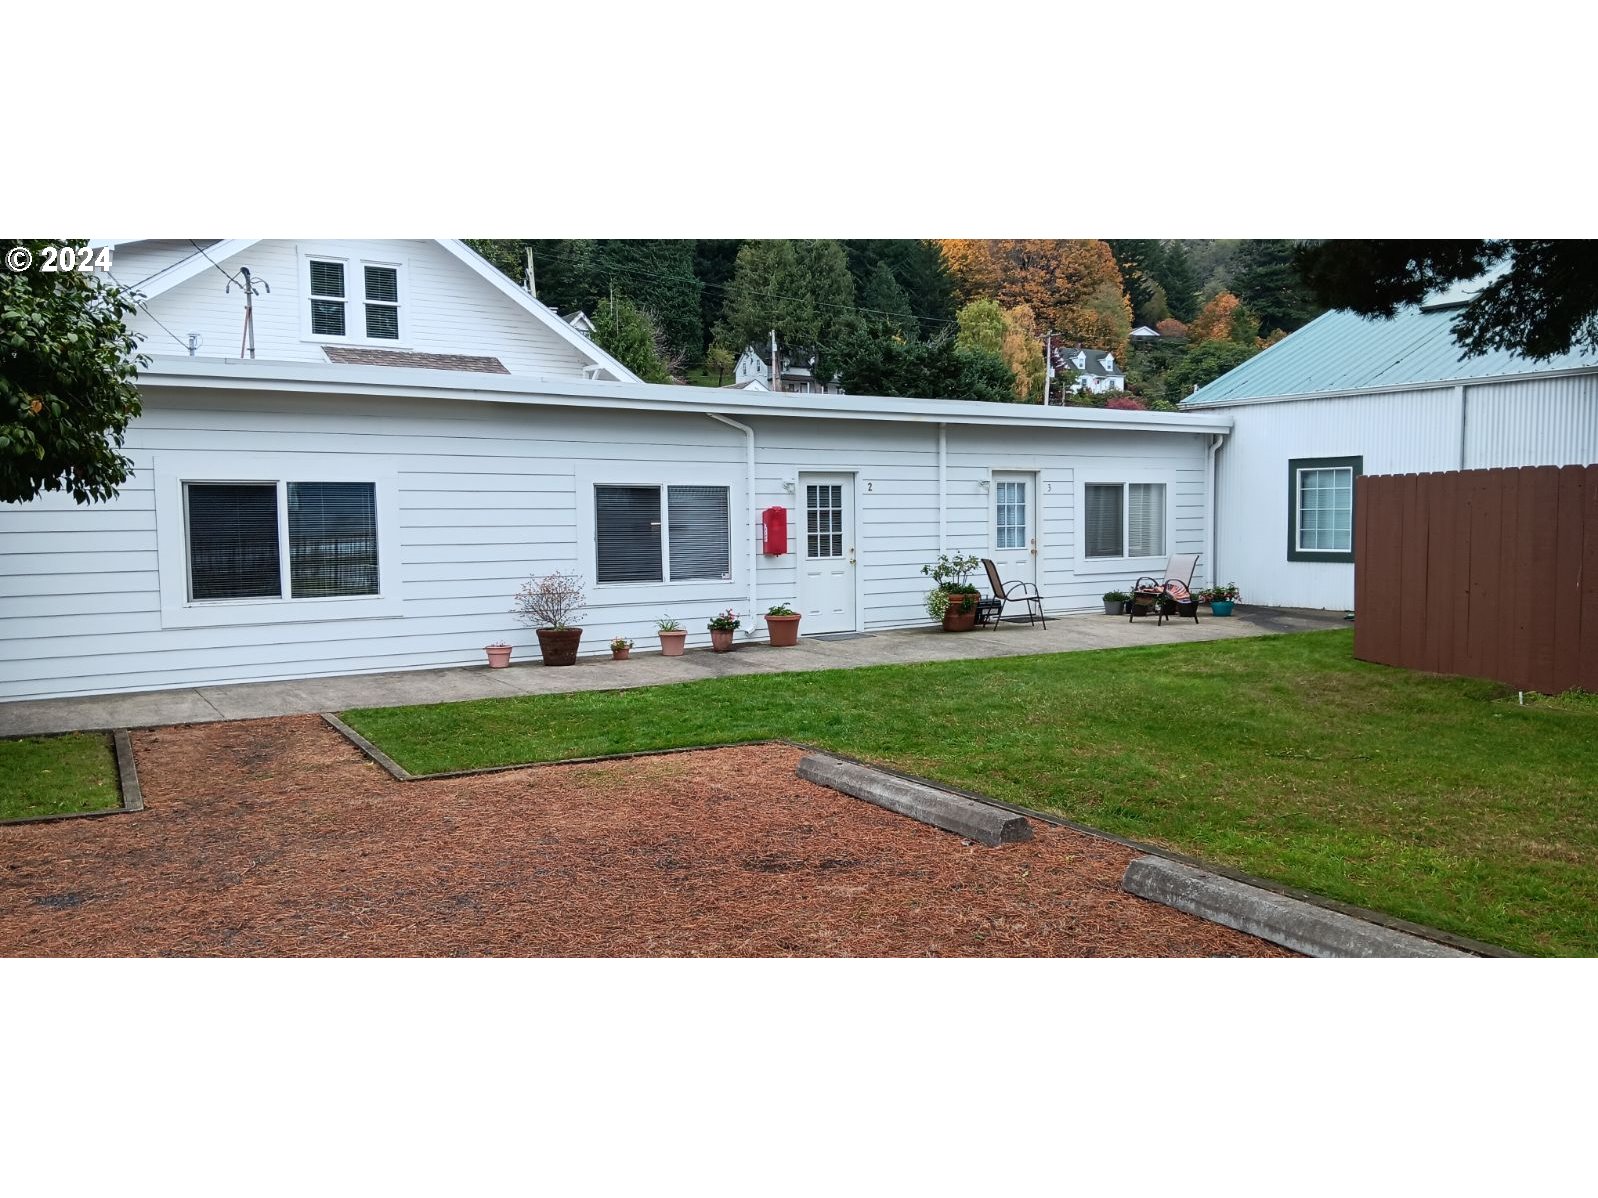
{"x":1343,"y":352}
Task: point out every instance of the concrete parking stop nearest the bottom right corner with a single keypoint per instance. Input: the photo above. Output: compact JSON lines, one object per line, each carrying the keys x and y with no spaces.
{"x":1279,"y":919}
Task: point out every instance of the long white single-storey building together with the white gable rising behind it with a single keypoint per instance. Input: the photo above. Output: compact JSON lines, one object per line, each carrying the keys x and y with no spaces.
{"x":418,"y":435}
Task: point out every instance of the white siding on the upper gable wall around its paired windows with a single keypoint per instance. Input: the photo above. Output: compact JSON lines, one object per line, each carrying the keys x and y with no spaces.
{"x":447,"y":309}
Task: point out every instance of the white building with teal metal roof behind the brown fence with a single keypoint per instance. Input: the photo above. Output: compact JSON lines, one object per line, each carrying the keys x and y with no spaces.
{"x":1346,"y":397}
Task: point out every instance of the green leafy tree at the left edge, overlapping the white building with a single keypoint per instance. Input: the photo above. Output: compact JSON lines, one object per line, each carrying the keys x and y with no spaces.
{"x":68,"y":370}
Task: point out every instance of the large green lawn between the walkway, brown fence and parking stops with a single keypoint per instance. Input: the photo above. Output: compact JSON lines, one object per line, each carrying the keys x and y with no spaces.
{"x":1429,"y":798}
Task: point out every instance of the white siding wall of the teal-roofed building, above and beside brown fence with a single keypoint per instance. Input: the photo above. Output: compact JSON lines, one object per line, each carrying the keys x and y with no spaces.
{"x":1525,"y":422}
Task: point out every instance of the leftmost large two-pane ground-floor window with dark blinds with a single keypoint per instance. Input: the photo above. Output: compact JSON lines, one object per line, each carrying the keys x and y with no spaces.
{"x":236,"y":541}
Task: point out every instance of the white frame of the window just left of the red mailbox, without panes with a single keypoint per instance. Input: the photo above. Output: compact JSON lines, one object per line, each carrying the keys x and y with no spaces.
{"x":661,"y":477}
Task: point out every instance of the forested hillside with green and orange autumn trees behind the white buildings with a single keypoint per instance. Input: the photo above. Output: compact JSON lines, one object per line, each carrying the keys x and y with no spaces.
{"x":934,"y":319}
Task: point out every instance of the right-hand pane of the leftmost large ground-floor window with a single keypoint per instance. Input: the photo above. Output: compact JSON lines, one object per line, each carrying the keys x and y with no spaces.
{"x":333,"y":539}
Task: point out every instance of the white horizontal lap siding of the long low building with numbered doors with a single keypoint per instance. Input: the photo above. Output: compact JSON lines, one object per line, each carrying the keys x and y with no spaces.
{"x":490,"y":494}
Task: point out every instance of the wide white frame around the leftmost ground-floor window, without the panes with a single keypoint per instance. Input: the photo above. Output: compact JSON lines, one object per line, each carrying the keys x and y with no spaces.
{"x":173,"y":472}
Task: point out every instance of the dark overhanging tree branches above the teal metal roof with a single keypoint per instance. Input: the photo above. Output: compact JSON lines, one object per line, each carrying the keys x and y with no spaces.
{"x":1541,"y":303}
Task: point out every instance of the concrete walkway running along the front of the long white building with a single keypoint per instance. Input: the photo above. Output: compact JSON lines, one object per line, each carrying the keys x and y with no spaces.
{"x":253,"y":700}
